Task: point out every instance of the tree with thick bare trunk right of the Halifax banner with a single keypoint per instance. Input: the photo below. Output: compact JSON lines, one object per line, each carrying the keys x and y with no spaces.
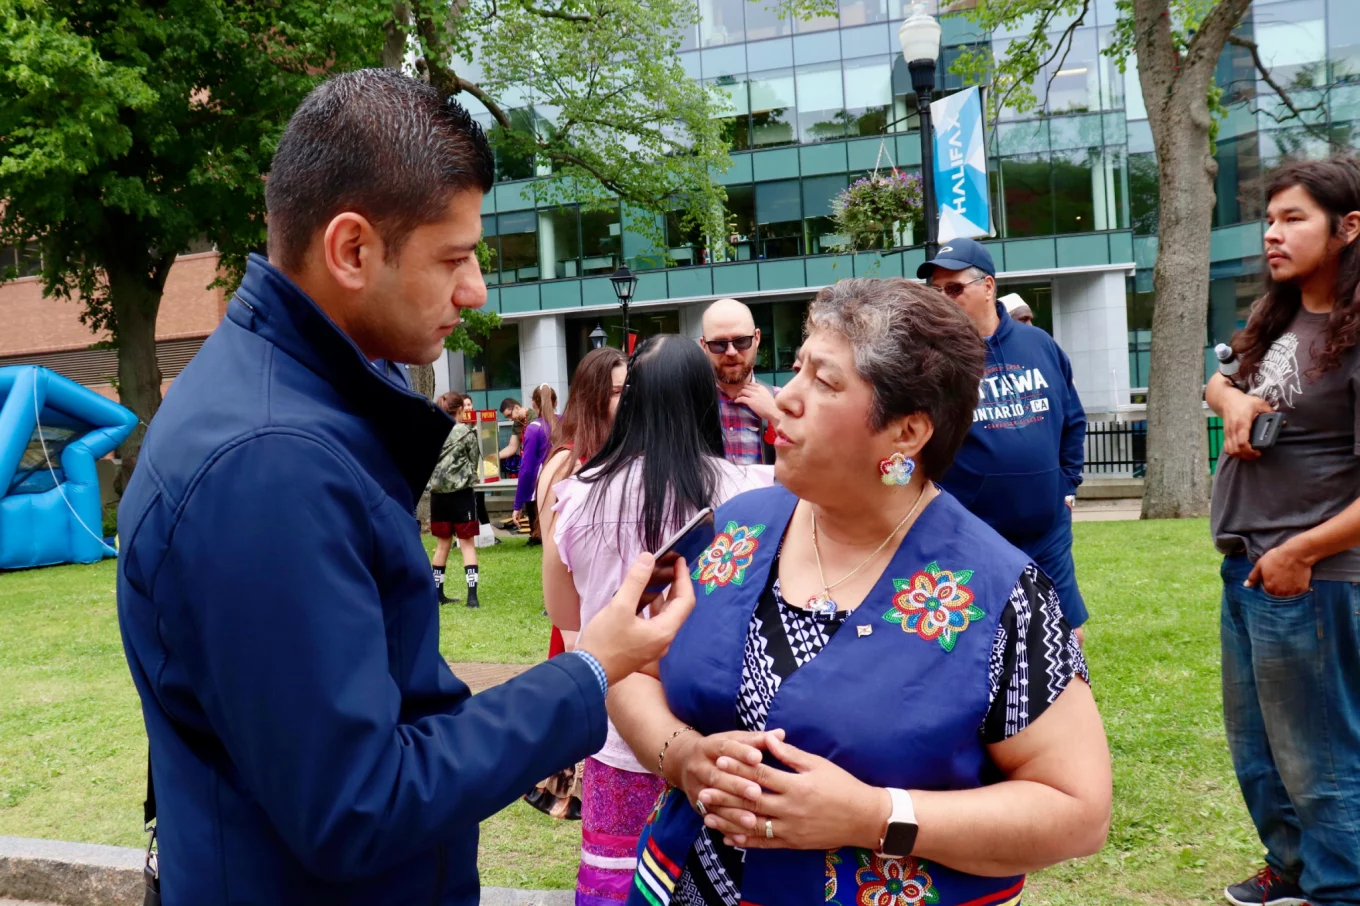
{"x":1177,"y":44}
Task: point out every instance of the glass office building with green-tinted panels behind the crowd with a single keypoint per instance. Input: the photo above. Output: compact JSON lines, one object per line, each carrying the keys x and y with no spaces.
{"x":814,"y":105}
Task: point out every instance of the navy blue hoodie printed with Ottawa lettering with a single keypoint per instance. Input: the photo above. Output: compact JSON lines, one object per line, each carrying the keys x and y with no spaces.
{"x":1027,"y":444}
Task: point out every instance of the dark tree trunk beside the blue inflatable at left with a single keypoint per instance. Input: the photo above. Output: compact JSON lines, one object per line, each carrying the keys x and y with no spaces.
{"x":135,"y":307}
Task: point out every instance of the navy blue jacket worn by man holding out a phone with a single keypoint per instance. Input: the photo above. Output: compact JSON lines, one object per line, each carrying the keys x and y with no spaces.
{"x":308,"y":741}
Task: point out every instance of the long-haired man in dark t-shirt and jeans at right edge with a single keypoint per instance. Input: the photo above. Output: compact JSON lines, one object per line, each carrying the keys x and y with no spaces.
{"x":1287,"y":518}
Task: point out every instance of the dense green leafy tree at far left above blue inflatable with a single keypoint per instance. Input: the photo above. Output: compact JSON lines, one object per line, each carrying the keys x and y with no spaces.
{"x":131,"y":130}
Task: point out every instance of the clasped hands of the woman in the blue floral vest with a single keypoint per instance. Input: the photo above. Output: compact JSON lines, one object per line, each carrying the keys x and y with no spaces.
{"x":758,"y":806}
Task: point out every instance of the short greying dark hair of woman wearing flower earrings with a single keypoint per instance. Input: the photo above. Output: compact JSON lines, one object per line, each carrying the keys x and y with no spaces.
{"x":917,"y":350}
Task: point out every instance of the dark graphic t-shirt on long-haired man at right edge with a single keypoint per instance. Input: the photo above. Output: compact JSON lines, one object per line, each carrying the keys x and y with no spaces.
{"x":1313,"y":473}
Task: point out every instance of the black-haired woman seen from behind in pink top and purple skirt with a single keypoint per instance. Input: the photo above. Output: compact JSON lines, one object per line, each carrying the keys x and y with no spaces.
{"x":662,"y":465}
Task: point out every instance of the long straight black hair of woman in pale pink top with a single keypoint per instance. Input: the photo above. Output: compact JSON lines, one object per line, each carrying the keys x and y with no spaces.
{"x":668,"y":417}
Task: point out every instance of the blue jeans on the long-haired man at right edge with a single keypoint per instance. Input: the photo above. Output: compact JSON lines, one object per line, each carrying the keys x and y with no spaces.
{"x":1291,"y":707}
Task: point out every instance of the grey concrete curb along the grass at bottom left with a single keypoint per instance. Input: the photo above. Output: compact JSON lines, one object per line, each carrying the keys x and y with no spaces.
{"x":47,"y":873}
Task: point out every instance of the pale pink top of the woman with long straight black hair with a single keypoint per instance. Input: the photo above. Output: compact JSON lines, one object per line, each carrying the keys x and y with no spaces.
{"x":591,"y":548}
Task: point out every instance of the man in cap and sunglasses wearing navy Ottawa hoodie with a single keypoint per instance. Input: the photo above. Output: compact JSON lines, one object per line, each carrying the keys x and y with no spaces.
{"x":1021,"y":465}
